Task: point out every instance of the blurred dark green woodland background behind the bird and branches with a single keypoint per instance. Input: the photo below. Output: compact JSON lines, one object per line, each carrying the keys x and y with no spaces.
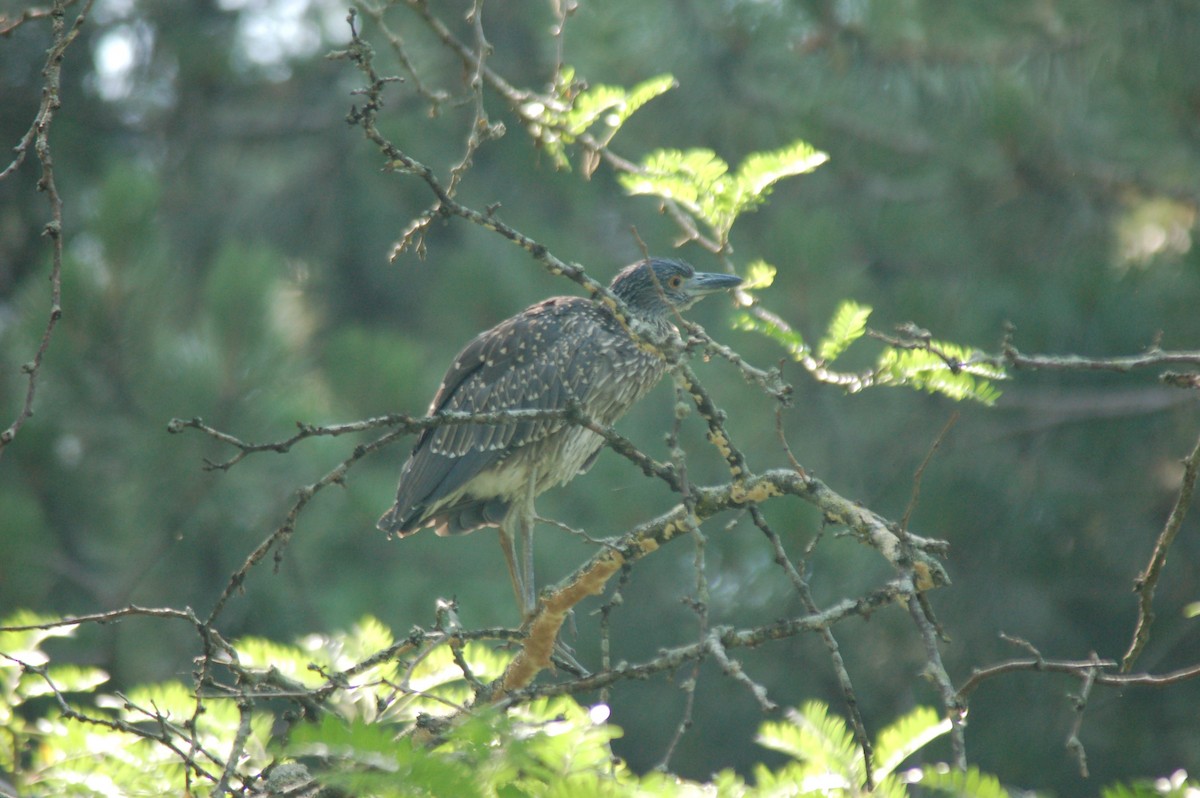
{"x":1024,"y":161}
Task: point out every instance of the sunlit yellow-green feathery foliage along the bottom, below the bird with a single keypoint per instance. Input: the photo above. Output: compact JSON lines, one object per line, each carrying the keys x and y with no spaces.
{"x":388,"y":724}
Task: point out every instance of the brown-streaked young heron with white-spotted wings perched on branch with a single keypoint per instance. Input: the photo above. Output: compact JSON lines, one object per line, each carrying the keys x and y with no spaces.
{"x":565,"y":350}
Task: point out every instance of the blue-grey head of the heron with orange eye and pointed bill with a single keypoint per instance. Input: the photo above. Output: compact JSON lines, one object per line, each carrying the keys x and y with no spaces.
{"x":658,"y":287}
